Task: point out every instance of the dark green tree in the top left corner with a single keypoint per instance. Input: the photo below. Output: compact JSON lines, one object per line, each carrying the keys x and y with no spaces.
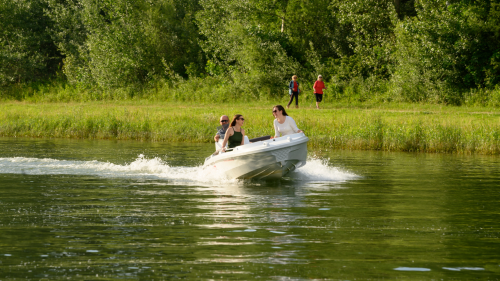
{"x":27,"y":52}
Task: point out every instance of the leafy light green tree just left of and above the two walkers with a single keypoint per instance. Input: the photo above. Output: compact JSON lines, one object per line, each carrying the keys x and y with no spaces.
{"x":245,"y":39}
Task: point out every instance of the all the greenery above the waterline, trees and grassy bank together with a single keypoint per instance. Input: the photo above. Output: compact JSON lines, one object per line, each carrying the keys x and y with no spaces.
{"x":402,"y":75}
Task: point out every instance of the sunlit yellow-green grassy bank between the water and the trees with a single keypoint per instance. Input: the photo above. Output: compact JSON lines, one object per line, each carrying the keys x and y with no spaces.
{"x":391,"y":127}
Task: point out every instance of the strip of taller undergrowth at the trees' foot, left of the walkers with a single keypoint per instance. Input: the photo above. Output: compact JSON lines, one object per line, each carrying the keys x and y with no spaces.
{"x":206,"y":90}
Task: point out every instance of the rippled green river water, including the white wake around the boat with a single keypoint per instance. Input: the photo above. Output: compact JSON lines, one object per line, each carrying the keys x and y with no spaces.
{"x":98,"y":210}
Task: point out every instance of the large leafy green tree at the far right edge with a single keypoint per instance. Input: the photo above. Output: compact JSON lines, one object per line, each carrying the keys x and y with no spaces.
{"x":446,"y":49}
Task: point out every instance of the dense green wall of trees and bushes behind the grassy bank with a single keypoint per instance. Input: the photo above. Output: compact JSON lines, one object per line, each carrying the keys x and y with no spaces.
{"x":406,"y":50}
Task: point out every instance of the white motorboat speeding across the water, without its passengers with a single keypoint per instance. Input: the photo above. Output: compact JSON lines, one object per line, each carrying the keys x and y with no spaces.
{"x":260,"y":158}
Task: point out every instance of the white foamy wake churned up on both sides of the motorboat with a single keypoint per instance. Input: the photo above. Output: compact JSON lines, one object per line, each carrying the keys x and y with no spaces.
{"x":155,"y":168}
